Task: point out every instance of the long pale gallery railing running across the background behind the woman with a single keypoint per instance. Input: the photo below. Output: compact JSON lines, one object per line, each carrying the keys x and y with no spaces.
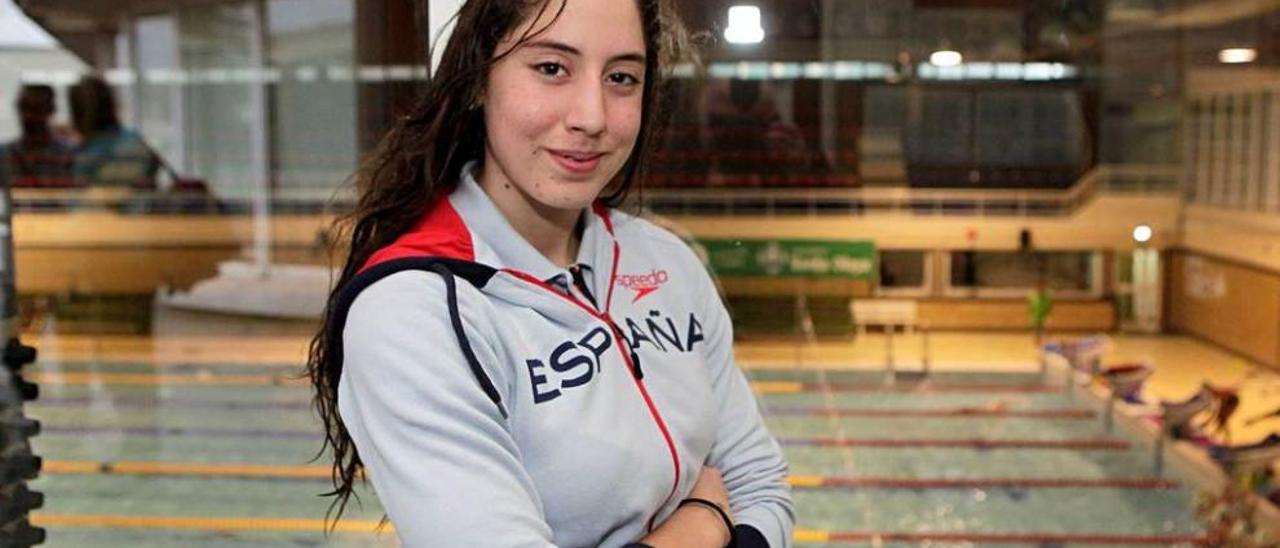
{"x":1140,"y":179}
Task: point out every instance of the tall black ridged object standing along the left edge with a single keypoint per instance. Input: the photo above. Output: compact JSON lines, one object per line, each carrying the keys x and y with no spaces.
{"x":19,"y":465}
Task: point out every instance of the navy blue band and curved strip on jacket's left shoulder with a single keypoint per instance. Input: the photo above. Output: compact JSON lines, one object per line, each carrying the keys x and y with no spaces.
{"x":449,"y":270}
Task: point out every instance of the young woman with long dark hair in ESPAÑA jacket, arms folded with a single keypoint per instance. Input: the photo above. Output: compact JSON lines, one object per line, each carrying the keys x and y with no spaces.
{"x":514,"y":362}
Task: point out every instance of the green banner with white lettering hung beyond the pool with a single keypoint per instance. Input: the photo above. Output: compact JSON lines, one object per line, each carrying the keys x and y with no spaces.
{"x":792,"y":258}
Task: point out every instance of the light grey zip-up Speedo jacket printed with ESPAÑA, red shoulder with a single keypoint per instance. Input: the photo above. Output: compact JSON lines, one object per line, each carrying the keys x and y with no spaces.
{"x":499,"y":400}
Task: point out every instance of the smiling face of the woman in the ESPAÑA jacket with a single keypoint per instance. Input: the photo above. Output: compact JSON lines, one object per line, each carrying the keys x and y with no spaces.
{"x":564,"y":109}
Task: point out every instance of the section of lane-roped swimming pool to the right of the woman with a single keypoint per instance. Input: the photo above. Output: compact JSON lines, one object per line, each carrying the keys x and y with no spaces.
{"x":966,"y":459}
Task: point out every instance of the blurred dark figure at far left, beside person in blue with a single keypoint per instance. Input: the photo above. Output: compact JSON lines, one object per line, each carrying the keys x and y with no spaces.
{"x":39,"y":158}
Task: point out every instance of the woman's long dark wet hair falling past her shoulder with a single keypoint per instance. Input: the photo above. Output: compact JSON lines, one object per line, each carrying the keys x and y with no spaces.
{"x":422,"y":159}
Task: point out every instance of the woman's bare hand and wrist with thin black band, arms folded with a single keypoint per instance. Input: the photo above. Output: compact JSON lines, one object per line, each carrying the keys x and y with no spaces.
{"x":697,"y":526}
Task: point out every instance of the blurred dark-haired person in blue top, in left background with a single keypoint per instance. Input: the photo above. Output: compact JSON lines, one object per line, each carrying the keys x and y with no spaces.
{"x":109,"y":156}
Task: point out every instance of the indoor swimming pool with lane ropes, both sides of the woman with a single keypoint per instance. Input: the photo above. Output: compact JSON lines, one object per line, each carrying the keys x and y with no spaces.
{"x":220,"y":455}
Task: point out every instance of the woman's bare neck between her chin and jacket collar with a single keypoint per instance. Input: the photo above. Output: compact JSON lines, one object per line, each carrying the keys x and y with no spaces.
{"x":554,"y":232}
